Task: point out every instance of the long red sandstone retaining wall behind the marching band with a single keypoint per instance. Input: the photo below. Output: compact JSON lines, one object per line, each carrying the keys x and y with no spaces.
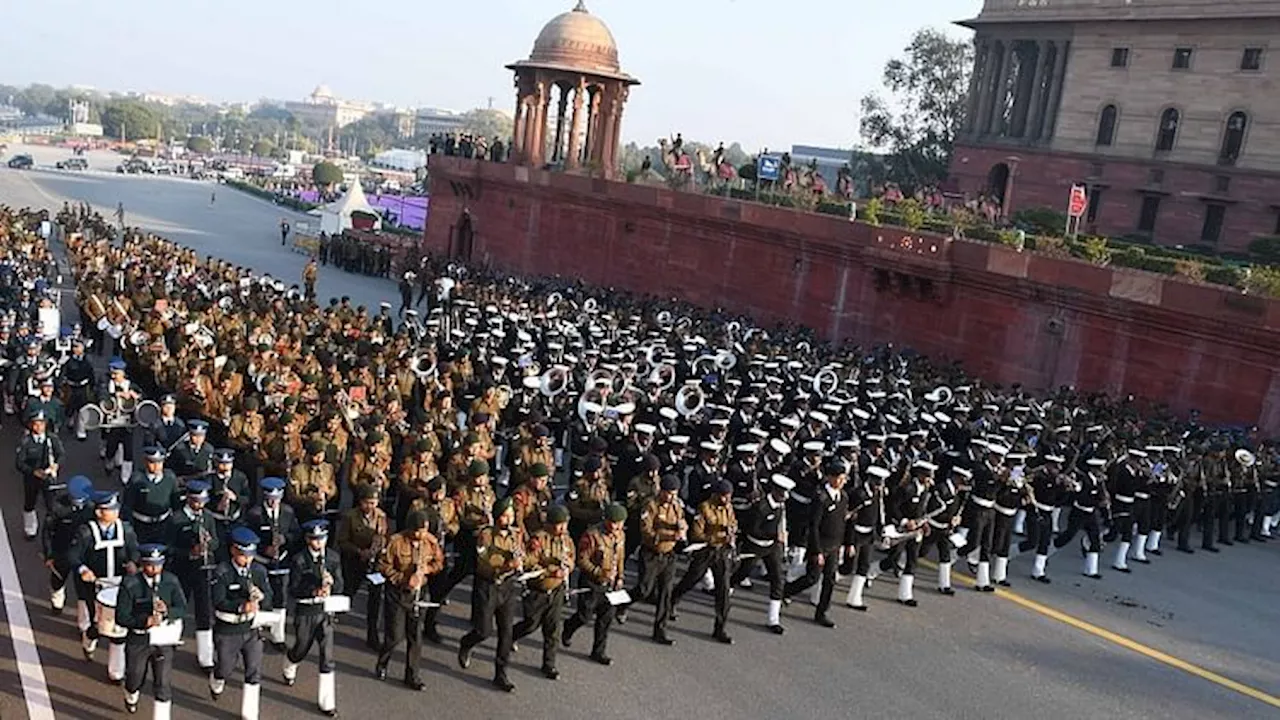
{"x":1009,"y":317}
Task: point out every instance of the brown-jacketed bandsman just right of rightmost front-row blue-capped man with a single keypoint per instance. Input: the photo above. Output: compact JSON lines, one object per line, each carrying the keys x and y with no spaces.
{"x":363,"y":536}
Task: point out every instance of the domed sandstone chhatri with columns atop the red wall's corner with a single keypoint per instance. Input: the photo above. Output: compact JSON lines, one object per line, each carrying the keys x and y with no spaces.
{"x":575,"y":65}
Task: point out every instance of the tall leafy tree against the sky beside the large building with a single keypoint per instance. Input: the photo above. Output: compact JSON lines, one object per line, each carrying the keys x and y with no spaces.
{"x":918,"y":126}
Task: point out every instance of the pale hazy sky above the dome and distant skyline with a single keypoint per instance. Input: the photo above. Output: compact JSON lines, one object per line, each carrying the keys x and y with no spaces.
{"x":762,"y":72}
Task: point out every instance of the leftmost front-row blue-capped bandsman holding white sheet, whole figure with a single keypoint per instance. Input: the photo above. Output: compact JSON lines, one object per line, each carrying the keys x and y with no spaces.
{"x":148,"y":600}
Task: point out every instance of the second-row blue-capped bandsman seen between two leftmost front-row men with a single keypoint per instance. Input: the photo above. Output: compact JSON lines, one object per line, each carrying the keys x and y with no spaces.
{"x":191,"y":534}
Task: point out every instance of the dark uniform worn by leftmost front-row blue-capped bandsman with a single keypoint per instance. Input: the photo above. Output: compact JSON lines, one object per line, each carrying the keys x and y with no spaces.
{"x":135,"y":605}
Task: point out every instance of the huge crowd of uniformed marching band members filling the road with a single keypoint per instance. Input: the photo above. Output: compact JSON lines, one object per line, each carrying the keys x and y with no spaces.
{"x":557,"y":445}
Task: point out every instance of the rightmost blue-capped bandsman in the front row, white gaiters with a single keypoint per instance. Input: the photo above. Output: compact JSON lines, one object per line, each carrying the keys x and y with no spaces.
{"x":316,"y":575}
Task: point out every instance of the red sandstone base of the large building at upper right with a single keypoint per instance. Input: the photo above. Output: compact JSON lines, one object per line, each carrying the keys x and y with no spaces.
{"x":1045,"y":181}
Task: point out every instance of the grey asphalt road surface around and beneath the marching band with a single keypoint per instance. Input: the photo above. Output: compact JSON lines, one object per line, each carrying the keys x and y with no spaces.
{"x":975,"y":655}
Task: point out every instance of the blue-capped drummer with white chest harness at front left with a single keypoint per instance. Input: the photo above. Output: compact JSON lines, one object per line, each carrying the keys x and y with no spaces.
{"x":103,"y":553}
